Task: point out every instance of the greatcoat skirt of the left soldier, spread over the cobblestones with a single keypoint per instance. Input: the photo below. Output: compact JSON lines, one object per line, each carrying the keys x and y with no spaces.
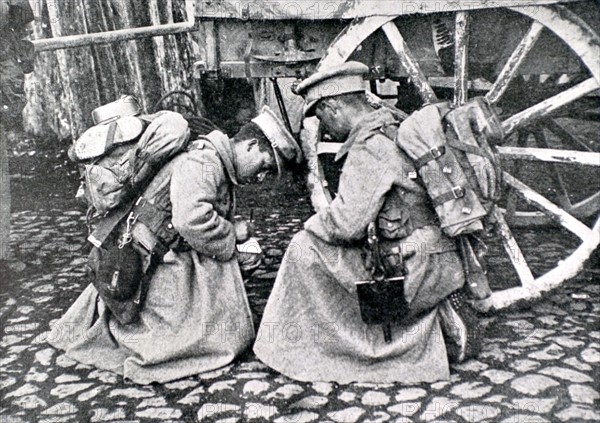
{"x":196,"y":319}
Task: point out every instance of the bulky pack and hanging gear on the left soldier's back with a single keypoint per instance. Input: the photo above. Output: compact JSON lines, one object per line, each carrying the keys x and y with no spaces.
{"x":123,"y":156}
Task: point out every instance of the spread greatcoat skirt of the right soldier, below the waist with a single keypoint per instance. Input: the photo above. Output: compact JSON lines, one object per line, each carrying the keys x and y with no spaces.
{"x":312,"y":330}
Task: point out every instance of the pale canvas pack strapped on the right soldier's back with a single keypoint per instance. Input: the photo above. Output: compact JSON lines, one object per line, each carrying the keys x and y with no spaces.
{"x":452,"y":150}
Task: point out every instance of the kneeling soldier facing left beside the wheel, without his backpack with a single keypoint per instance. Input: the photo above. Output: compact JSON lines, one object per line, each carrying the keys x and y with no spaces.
{"x":313,"y":328}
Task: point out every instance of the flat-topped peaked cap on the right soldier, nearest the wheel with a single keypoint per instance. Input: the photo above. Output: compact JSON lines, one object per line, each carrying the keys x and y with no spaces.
{"x":343,"y":79}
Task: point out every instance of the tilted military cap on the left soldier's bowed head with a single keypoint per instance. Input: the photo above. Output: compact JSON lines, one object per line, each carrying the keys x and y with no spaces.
{"x":284,"y":145}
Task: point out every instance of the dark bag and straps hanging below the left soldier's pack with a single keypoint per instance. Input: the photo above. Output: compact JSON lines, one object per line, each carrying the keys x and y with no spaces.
{"x":129,"y":244}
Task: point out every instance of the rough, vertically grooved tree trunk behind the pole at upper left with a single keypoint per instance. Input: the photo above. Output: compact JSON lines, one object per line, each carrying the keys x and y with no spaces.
{"x":68,"y":84}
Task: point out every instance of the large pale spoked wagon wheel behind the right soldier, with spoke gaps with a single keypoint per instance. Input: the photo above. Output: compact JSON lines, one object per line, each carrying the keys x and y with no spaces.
{"x":553,"y":130}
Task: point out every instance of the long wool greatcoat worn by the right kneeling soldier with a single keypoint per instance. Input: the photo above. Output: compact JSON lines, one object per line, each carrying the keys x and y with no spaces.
{"x":311,"y":329}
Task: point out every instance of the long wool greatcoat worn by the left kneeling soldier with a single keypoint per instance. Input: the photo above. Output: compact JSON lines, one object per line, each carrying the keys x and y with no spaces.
{"x":196,"y":317}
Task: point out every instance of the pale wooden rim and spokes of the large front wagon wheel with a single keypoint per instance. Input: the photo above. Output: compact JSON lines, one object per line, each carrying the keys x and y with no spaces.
{"x":535,"y":119}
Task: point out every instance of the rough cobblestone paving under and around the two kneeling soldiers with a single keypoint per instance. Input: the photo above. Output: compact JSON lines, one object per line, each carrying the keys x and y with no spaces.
{"x":539,"y":364}
